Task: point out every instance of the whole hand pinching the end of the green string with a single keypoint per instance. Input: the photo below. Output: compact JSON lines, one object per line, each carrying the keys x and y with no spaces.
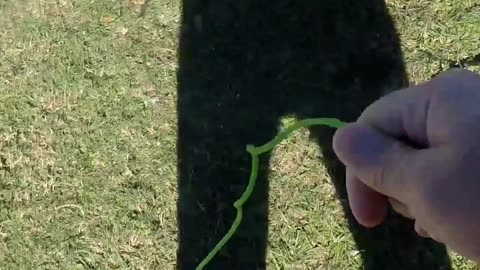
{"x":418,"y":149}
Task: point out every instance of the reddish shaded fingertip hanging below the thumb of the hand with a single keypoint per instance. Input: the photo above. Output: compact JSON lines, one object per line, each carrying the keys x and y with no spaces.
{"x":368,"y":207}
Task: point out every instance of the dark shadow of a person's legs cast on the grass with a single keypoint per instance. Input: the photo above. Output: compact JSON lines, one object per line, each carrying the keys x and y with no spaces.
{"x":244,"y":65}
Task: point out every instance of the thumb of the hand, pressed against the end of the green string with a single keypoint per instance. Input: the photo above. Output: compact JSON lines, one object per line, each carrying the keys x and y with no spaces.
{"x":384,"y":164}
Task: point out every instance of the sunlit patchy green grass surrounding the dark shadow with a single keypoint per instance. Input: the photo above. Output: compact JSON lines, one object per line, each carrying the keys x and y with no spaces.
{"x":88,"y":138}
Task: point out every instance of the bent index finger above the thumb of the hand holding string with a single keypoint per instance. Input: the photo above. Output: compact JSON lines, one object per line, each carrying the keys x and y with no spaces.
{"x":404,"y":113}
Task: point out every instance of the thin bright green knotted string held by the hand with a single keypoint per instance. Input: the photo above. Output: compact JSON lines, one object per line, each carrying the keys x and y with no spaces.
{"x":255,"y":152}
